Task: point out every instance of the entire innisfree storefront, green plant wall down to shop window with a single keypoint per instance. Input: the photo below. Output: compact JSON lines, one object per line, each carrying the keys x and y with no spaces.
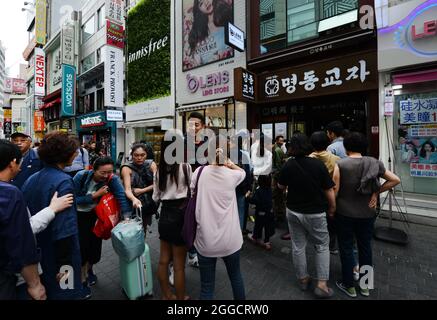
{"x":150,"y":74}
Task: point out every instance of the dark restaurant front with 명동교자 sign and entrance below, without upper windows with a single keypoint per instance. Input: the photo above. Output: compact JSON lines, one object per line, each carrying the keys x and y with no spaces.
{"x":305,"y":98}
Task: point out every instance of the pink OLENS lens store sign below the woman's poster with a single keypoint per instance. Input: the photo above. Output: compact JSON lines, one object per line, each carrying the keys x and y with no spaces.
{"x":211,"y":84}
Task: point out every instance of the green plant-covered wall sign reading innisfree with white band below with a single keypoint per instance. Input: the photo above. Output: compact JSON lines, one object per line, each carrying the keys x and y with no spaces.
{"x":149,"y":59}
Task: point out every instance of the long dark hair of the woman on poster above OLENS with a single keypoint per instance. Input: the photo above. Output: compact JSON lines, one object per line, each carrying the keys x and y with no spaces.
{"x":222,"y":12}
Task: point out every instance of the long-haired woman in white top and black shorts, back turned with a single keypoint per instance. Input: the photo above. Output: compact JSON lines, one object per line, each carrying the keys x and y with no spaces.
{"x":171,"y":186}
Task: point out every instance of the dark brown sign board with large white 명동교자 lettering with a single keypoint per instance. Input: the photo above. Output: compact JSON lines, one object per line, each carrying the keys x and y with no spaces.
{"x":355,"y":73}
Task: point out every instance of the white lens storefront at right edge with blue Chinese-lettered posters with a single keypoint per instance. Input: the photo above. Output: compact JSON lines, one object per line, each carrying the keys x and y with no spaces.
{"x":408,"y":110}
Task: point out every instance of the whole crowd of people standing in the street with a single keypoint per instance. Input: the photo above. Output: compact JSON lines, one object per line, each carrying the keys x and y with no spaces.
{"x":323,"y":187}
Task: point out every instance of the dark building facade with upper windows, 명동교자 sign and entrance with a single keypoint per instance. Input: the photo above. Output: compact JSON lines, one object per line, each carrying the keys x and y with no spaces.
{"x":314,"y":65}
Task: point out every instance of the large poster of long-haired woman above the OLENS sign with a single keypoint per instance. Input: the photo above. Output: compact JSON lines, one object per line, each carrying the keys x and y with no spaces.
{"x":203,"y":32}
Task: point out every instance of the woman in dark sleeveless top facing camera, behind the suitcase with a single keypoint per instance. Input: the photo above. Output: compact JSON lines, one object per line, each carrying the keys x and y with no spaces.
{"x":137,"y":179}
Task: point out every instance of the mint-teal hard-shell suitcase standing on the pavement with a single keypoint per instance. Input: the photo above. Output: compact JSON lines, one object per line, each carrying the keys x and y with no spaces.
{"x":136,"y":276}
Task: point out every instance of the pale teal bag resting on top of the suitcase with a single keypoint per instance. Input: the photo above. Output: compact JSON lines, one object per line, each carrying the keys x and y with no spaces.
{"x":127,"y":238}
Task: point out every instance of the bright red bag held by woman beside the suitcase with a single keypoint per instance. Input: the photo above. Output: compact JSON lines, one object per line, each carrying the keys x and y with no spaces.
{"x":108,"y":215}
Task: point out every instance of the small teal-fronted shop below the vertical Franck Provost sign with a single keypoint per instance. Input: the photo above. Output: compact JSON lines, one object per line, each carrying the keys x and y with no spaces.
{"x":96,"y":127}
